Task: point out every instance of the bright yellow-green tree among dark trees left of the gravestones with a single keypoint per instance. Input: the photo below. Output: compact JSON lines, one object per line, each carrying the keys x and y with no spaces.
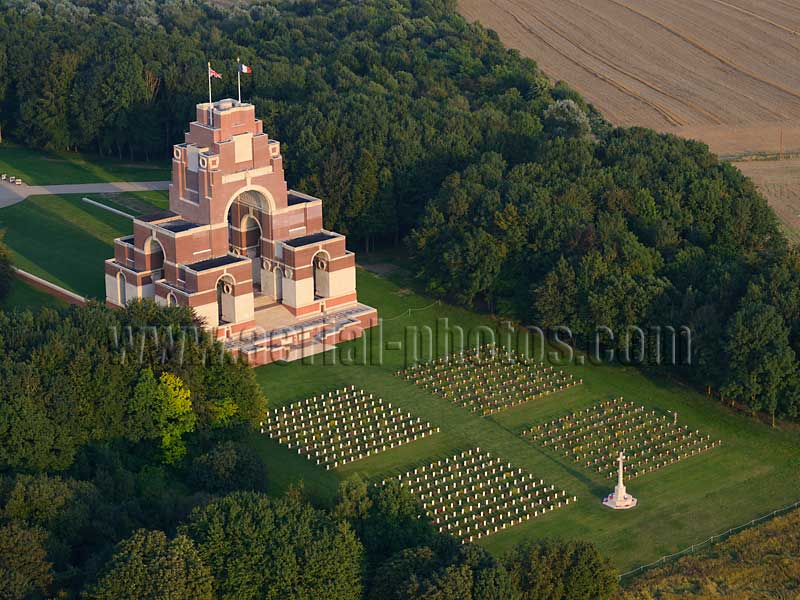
{"x":175,"y":416}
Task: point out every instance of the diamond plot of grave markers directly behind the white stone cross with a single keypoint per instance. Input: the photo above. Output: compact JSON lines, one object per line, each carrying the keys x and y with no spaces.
{"x":594,"y":437}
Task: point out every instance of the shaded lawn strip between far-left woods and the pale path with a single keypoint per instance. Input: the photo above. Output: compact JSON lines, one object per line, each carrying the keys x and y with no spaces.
{"x":37,"y":167}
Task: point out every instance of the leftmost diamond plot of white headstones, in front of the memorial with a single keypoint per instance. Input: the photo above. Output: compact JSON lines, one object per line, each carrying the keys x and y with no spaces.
{"x":343,"y":426}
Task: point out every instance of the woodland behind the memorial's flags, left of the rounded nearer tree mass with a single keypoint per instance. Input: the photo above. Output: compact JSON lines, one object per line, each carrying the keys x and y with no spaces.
{"x":375,"y":102}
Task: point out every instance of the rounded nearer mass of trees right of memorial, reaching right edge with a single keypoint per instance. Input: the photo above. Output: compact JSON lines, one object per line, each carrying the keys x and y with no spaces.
{"x":628,"y":229}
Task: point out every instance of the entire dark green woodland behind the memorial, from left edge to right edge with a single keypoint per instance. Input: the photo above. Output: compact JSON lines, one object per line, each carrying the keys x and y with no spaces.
{"x":413,"y":124}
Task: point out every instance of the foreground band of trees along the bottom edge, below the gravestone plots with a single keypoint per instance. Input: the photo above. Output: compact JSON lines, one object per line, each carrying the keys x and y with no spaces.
{"x":119,"y":528}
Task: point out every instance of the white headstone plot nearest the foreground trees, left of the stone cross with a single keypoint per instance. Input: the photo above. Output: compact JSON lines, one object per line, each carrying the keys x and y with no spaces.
{"x":472,"y":494}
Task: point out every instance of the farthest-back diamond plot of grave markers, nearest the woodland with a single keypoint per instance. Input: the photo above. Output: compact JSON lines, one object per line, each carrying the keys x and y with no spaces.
{"x":486,"y":381}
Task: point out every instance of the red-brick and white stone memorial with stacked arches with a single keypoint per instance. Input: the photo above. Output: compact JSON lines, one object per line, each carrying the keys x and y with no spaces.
{"x":247,"y":254}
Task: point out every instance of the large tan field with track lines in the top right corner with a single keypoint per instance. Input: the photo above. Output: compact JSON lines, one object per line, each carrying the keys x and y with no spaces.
{"x":722,"y":71}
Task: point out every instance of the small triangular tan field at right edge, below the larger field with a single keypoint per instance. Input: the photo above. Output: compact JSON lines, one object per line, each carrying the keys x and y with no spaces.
{"x":779,"y":182}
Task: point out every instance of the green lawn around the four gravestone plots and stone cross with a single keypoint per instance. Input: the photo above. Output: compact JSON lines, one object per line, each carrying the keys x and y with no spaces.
{"x":750,"y":470}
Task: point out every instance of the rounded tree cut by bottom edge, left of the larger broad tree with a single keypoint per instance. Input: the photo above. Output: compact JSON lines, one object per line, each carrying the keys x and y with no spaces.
{"x":148,"y":566}
